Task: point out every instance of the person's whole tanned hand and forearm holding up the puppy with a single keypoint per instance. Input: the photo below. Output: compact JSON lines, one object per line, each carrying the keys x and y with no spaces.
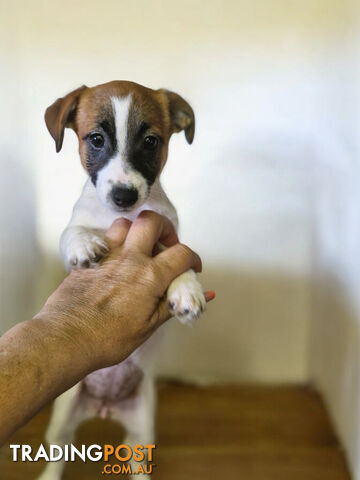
{"x":85,"y":325}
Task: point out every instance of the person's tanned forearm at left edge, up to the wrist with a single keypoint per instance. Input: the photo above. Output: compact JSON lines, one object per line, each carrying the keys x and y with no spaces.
{"x":38,"y":361}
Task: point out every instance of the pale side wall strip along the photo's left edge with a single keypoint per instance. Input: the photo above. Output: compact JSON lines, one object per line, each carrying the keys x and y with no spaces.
{"x":18,"y":249}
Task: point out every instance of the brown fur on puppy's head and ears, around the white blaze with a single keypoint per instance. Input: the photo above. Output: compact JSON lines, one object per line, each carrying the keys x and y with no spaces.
{"x":87,"y":110}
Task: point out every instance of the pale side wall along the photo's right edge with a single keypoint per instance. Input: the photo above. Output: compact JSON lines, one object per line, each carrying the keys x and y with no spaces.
{"x":334,"y":353}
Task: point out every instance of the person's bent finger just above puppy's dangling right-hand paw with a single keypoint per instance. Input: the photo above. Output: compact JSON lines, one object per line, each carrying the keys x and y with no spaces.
{"x":176,"y":260}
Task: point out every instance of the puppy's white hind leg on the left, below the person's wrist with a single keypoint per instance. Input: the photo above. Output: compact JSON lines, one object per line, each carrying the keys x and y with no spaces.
{"x":66,"y":416}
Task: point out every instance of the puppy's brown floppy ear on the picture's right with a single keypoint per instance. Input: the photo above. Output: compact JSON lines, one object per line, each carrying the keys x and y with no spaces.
{"x":181,"y":115}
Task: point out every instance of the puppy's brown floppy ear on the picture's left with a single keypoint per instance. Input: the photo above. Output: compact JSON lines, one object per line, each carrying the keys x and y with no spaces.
{"x":61,"y":114}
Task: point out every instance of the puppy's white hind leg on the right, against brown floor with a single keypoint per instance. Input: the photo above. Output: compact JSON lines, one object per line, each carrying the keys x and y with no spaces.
{"x":137,"y":415}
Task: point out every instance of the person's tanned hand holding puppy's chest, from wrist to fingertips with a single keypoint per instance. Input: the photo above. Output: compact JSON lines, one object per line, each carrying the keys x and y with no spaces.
{"x":112,"y":309}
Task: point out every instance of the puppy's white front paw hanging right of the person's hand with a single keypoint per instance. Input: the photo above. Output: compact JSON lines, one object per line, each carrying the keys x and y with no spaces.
{"x":185,"y":297}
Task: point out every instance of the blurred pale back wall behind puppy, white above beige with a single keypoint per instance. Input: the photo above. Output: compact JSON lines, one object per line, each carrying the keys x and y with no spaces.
{"x":271,"y":83}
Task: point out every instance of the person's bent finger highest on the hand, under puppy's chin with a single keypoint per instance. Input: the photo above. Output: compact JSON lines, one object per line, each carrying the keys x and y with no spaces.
{"x":148,"y":228}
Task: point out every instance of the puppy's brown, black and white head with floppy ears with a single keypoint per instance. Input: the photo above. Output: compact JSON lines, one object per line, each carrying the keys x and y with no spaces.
{"x":123,"y":130}
